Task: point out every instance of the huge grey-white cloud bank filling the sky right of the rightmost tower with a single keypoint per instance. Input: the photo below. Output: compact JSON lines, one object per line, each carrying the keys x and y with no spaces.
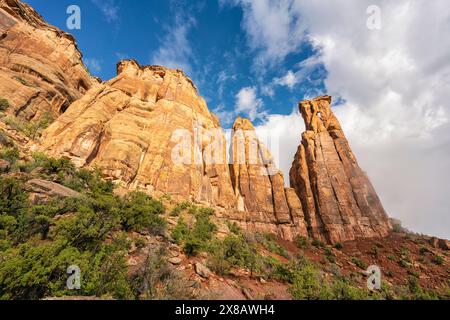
{"x":393,"y":85}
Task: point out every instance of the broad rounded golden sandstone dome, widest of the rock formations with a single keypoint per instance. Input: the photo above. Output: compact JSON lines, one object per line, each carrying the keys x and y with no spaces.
{"x":147,"y":129}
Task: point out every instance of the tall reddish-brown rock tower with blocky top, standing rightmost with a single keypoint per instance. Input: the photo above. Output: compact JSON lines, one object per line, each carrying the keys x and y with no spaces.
{"x":337,"y":197}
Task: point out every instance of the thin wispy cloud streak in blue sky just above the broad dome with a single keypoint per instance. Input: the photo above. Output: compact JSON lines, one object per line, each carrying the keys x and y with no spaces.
{"x":175,"y":50}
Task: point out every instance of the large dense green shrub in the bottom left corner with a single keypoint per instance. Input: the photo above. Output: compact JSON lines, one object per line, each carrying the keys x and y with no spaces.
{"x":32,"y":271}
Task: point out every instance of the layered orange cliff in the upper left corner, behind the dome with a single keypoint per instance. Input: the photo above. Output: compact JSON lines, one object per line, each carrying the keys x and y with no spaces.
{"x":41,"y":71}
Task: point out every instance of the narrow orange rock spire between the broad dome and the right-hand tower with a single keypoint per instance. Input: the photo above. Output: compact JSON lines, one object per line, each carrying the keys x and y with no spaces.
{"x":264,"y":204}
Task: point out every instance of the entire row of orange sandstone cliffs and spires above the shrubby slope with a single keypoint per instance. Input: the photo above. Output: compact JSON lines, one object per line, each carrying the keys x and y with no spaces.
{"x":148,"y":129}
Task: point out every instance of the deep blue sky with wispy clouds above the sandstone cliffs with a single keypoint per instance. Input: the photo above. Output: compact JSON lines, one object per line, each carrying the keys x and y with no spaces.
{"x":205,"y":38}
